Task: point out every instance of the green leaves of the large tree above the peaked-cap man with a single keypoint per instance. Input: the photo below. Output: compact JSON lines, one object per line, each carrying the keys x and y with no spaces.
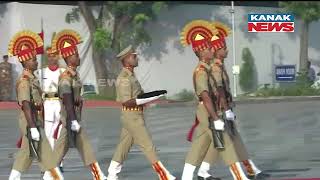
{"x":131,"y":16}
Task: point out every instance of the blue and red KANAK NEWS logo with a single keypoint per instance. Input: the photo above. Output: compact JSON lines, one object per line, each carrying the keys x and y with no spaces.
{"x":270,"y":23}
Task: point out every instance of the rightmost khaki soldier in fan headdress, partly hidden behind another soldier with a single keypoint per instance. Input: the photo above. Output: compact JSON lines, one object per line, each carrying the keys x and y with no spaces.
{"x":220,"y":83}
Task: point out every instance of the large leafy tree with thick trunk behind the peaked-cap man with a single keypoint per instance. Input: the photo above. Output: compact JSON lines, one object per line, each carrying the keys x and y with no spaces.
{"x":119,"y":24}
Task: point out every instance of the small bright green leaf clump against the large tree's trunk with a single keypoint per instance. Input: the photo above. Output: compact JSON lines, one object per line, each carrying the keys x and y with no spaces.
{"x":102,"y":39}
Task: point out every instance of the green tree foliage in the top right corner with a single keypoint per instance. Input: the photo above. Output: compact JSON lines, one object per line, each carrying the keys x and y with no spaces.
{"x":308,"y":11}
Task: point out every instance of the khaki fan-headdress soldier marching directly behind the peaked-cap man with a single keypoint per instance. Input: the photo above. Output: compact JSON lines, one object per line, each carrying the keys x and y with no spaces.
{"x":69,"y":88}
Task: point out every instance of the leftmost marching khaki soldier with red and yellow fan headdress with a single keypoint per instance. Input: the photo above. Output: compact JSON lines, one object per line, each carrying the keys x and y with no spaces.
{"x":23,"y":45}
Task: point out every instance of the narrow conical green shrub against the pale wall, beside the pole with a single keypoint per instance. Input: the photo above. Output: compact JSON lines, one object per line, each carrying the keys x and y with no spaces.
{"x":247,"y":76}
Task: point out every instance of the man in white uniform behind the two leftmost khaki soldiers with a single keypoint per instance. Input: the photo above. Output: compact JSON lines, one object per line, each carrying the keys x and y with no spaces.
{"x":50,"y":79}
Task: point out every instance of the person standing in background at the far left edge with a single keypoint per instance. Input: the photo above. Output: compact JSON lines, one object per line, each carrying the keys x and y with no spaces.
{"x":5,"y":79}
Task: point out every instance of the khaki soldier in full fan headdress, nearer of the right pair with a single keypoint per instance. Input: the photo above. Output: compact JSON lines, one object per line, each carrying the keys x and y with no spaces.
{"x":198,"y":34}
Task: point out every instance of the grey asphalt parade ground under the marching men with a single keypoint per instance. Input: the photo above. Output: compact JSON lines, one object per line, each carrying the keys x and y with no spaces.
{"x":282,"y":138}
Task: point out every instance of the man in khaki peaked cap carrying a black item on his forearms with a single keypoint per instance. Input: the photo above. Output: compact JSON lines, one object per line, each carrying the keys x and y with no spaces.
{"x":130,"y":94}
